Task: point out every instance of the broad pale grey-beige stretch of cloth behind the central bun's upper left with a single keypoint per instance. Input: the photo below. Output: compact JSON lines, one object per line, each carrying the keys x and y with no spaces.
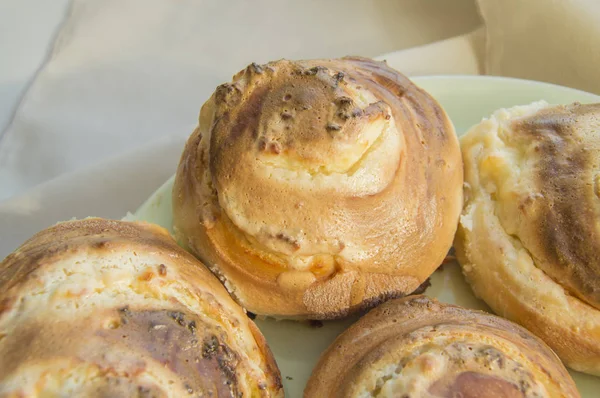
{"x":126,"y":72}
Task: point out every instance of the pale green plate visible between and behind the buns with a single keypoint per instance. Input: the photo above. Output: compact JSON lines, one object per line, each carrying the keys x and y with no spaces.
{"x":467,"y":99}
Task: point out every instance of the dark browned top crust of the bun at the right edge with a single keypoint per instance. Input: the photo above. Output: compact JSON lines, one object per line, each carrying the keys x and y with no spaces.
{"x":561,"y":225}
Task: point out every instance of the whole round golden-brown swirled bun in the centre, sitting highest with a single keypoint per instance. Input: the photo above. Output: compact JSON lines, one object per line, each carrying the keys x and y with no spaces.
{"x":315,"y":188}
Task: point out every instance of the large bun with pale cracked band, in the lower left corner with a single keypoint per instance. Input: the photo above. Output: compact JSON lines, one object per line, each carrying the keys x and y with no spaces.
{"x":99,"y":308}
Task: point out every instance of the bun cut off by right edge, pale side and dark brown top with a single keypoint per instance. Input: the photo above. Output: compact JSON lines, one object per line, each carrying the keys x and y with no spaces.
{"x":529,"y":236}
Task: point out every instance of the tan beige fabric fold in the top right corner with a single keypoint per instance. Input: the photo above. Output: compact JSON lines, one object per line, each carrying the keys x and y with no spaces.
{"x":556,"y":41}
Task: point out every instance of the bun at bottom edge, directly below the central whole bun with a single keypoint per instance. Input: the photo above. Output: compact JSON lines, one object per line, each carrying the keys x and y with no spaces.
{"x":418,"y":347}
